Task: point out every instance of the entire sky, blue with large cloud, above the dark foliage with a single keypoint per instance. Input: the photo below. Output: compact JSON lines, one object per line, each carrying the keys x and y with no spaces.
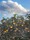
{"x":13,"y":6}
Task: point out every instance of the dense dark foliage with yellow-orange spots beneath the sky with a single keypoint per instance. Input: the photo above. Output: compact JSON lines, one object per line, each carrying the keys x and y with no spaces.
{"x":15,"y":28}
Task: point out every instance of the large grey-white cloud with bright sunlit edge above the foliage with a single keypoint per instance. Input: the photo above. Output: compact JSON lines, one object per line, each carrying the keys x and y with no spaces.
{"x":8,"y":8}
